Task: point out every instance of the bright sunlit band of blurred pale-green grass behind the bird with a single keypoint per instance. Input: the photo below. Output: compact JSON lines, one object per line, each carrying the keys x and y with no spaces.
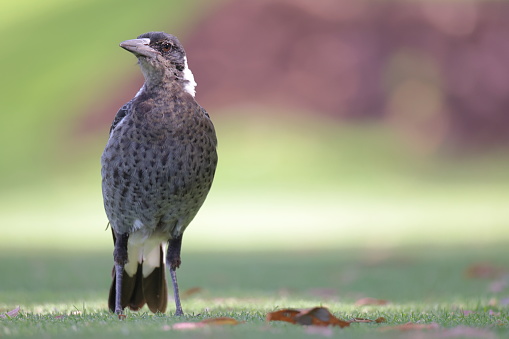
{"x":277,"y":189}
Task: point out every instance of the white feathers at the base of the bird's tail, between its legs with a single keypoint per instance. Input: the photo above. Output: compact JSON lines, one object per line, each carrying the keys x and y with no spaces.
{"x":143,"y":247}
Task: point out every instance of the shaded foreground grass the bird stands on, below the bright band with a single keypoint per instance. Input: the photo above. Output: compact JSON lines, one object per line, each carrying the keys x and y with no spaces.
{"x":63,"y":294}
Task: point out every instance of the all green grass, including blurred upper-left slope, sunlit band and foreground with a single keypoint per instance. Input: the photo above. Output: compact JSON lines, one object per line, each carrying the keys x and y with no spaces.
{"x":303,"y":211}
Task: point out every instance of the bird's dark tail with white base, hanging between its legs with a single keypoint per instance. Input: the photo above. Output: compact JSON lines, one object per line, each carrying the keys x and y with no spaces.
{"x":143,"y":281}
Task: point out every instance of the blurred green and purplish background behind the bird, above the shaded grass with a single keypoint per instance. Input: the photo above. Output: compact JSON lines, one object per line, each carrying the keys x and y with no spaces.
{"x":340,"y":123}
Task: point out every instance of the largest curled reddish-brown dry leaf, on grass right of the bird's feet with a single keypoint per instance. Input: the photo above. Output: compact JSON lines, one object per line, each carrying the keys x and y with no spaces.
{"x":317,"y":316}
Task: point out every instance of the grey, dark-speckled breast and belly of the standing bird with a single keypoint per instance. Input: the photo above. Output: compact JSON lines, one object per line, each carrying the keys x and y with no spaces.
{"x":157,"y":170}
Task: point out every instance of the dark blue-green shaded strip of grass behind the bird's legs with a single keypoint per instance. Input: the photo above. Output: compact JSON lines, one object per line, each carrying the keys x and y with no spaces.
{"x":400,"y":275}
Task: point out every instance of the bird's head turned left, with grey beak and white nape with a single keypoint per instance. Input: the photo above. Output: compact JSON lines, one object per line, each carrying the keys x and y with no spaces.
{"x":161,"y":58}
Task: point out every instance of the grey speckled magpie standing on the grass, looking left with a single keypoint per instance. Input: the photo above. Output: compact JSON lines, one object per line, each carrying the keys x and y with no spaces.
{"x":157,"y":168}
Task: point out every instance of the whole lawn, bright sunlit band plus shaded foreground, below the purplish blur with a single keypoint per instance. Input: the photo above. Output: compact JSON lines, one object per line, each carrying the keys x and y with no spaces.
{"x":305,"y":217}
